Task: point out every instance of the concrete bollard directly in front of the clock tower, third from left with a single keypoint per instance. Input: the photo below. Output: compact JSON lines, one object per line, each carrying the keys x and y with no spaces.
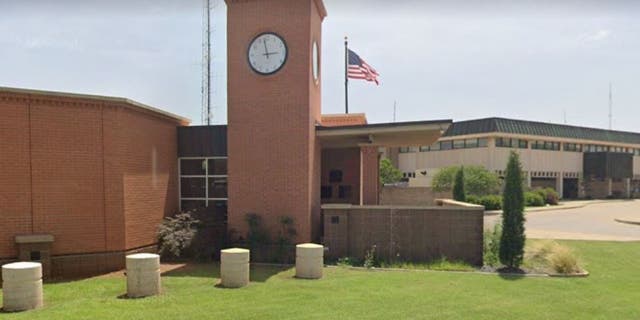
{"x":234,"y":268}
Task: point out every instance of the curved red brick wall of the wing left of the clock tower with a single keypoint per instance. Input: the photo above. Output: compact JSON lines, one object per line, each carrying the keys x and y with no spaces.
{"x":96,"y":174}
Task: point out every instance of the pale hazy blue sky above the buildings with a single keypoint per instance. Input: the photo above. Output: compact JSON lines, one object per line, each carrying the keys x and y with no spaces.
{"x":534,"y":60}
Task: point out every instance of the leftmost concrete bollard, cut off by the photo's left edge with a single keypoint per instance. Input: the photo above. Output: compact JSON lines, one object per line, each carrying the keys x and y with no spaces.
{"x":22,"y":286}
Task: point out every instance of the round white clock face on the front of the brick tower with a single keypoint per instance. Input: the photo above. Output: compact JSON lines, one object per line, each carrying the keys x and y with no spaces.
{"x":267,"y":53}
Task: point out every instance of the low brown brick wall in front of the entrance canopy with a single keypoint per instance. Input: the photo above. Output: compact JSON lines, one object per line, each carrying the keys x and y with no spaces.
{"x":407,"y":234}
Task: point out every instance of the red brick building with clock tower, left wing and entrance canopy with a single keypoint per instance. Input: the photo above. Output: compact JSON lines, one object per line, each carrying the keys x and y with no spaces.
{"x":86,"y":179}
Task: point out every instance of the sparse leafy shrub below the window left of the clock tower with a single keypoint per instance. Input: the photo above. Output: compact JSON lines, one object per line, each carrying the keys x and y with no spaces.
{"x":176,"y":235}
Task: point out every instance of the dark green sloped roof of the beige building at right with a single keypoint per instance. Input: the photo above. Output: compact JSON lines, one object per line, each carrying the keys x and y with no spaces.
{"x":543,"y":129}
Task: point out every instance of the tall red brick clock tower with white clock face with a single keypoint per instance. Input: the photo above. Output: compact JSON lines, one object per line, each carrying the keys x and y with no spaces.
{"x":273,"y":52}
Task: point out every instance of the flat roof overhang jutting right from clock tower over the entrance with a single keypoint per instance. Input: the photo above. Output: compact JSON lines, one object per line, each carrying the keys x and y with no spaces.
{"x":418,"y":133}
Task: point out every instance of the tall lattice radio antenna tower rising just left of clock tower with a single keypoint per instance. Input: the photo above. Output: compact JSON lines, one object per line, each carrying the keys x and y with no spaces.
{"x":206,"y":63}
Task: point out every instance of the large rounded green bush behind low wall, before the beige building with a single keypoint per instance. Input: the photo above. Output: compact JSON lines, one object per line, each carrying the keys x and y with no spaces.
{"x":478,"y":181}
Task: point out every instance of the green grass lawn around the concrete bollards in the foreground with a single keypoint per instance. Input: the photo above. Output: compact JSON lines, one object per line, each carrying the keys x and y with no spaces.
{"x":612,"y":291}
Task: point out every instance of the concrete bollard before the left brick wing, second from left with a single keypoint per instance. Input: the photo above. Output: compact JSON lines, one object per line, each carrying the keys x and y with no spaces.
{"x":143,"y":275}
